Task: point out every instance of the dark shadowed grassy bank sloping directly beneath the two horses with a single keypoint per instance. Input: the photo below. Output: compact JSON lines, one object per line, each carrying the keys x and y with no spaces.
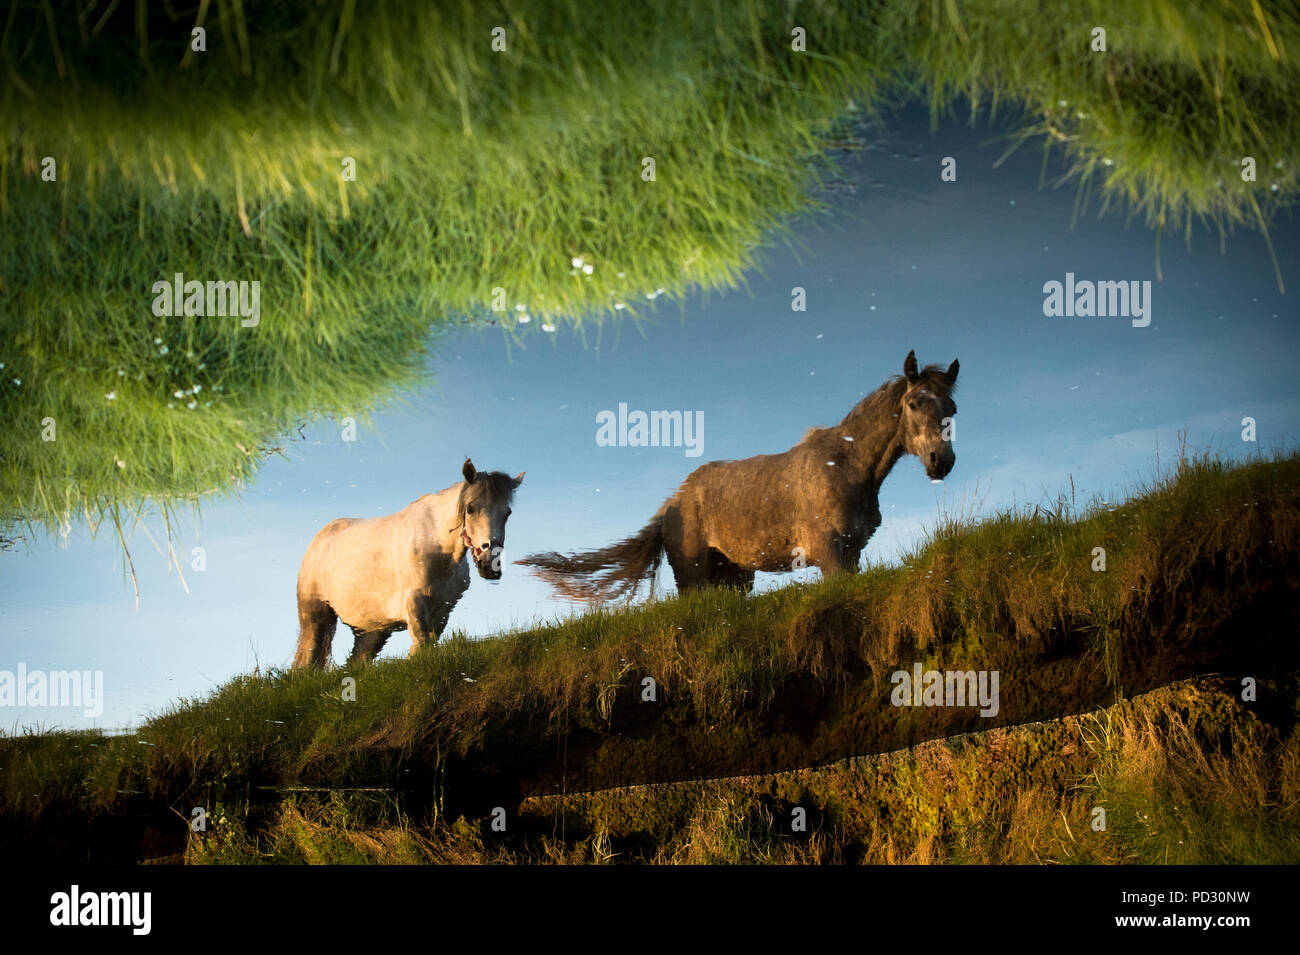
{"x":1201,"y":576}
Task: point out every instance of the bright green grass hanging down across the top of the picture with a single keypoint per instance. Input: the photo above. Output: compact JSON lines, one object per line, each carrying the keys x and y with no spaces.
{"x":482,"y":171}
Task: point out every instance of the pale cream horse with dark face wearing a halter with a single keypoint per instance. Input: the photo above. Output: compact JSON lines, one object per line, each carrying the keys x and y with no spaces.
{"x":404,"y":571}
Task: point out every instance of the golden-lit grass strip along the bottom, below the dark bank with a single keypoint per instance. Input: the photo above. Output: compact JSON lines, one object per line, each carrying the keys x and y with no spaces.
{"x":1184,"y":775}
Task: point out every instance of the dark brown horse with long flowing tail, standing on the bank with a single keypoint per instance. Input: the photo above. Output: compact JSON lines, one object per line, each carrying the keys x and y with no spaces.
{"x":816,"y":505}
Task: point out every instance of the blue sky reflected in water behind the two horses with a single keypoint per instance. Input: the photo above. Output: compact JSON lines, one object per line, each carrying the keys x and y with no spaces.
{"x":952,"y":270}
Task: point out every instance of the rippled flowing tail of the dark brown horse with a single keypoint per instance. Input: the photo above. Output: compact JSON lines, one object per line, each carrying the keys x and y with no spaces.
{"x":608,"y":574}
